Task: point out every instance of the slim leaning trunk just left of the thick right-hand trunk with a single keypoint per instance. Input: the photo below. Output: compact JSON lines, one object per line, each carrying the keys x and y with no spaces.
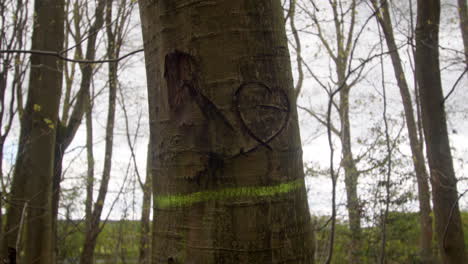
{"x":417,"y":154}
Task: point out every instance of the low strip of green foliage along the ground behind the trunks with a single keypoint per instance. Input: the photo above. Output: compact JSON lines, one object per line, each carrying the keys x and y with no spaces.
{"x":118,"y":242}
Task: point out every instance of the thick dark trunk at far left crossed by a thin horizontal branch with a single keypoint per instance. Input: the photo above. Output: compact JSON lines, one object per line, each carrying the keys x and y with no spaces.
{"x":32,"y":181}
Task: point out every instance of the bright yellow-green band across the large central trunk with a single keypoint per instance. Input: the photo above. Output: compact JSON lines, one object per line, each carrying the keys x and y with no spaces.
{"x":181,"y":200}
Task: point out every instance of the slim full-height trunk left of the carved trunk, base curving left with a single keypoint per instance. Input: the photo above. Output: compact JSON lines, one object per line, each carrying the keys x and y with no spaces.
{"x":87,"y":256}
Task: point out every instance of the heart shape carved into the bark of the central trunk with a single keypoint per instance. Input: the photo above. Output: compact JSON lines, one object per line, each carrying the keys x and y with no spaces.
{"x":263,"y":112}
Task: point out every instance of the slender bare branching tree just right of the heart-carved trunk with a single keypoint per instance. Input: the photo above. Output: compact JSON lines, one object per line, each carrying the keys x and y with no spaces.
{"x":340,"y":49}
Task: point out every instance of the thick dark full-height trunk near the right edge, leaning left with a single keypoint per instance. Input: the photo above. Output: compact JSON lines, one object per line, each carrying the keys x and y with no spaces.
{"x":444,"y":183}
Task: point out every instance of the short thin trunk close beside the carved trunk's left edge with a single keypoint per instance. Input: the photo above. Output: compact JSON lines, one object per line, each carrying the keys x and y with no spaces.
{"x":145,"y":233}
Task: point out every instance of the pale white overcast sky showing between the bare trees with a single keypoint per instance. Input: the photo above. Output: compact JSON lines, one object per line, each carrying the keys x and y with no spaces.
{"x":365,"y":114}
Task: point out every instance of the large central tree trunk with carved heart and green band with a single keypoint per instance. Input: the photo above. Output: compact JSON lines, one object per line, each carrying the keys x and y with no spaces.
{"x":228,"y":178}
